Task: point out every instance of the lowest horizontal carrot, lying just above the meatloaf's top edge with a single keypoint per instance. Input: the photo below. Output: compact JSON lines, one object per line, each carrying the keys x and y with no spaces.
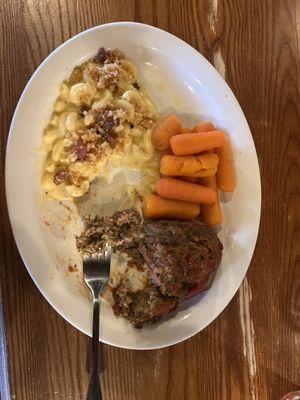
{"x":157,"y":207}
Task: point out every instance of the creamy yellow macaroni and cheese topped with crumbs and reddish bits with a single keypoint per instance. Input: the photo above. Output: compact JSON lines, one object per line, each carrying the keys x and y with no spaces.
{"x":102,"y":119}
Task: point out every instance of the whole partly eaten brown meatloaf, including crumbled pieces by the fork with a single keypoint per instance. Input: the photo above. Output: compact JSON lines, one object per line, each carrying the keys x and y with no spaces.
{"x":180,"y":257}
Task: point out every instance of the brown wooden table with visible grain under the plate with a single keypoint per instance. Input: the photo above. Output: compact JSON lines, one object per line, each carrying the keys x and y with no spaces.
{"x":252,"y":351}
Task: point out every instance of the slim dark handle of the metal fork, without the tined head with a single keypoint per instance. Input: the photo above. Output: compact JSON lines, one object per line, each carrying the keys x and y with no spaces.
{"x":94,"y":390}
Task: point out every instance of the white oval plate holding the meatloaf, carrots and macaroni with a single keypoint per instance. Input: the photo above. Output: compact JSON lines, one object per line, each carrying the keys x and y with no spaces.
{"x":179,"y":79}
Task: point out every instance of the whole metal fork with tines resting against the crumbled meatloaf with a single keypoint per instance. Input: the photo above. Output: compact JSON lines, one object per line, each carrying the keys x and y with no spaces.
{"x":96,"y":270}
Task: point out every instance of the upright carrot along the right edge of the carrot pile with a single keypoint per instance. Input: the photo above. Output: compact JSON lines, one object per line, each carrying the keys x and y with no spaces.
{"x":225,"y":173}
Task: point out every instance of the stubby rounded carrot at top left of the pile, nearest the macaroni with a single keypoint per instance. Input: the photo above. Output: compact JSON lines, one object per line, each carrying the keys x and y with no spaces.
{"x":168,"y":126}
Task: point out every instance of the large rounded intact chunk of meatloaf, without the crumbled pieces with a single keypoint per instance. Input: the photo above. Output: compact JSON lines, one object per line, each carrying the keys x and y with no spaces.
{"x":182,"y":256}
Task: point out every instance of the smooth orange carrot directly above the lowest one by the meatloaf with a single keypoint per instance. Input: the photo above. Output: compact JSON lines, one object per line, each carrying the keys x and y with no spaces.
{"x":185,"y":191}
